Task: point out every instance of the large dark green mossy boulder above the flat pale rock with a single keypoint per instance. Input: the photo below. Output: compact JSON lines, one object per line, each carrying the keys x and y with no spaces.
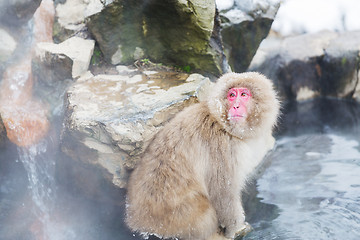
{"x":126,"y":32}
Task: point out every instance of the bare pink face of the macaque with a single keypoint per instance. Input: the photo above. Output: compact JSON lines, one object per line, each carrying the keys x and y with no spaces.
{"x":238,"y":99}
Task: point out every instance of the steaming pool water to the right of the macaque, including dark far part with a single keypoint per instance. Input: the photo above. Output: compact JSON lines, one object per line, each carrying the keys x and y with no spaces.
{"x":312,"y":178}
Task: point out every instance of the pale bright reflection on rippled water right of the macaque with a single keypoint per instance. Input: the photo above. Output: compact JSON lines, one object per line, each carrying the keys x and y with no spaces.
{"x":314,"y":182}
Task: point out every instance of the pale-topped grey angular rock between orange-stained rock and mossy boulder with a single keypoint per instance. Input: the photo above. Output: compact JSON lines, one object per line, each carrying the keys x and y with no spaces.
{"x":55,"y":66}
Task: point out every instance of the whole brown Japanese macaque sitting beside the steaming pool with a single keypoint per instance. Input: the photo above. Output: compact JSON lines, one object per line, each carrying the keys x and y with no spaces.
{"x":188,"y":182}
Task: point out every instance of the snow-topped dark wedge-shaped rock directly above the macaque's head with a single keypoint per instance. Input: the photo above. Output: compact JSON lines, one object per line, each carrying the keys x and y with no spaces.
{"x":244,"y":27}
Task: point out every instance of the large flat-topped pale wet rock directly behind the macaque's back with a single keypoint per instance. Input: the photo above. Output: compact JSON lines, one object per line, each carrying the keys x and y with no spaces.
{"x":111,"y":118}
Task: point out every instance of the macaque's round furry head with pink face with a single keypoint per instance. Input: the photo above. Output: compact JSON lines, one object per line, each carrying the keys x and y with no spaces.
{"x":245,"y":104}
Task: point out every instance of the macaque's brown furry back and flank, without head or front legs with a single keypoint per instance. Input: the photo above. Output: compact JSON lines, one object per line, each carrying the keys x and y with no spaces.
{"x":167,"y":192}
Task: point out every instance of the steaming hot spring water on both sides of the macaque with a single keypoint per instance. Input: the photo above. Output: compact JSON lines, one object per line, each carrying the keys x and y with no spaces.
{"x":307,"y":188}
